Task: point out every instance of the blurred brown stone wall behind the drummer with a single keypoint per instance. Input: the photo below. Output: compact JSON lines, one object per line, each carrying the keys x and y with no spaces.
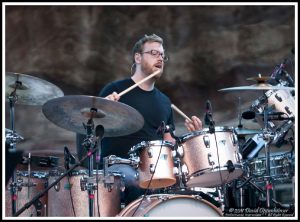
{"x":81,"y":48}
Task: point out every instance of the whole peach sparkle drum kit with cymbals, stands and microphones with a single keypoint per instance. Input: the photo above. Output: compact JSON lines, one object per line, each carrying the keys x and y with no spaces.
{"x":211,"y":158}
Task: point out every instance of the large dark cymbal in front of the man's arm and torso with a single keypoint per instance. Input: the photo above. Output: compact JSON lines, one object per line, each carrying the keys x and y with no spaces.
{"x":71,"y":112}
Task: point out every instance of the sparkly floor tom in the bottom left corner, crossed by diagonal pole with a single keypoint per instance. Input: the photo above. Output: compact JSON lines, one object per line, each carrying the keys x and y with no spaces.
{"x":27,"y":189}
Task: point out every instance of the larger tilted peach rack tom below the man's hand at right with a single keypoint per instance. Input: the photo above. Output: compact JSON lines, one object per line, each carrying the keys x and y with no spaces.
{"x":210,"y":159}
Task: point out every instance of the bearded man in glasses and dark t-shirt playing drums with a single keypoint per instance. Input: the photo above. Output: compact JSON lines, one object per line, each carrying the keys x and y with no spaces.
{"x":148,"y":56}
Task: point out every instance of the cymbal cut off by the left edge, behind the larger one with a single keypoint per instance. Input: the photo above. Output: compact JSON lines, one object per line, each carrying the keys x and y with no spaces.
{"x":30,"y":90}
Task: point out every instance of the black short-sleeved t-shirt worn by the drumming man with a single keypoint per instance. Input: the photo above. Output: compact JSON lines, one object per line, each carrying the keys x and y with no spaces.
{"x":153,"y":105}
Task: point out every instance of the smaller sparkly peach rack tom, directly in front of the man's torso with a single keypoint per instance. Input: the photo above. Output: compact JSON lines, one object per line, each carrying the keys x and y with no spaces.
{"x":156,"y":163}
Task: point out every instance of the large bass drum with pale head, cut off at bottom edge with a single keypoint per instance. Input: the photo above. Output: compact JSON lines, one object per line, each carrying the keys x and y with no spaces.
{"x":168,"y":205}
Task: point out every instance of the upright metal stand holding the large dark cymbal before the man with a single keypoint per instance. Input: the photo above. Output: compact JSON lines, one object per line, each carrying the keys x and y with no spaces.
{"x":89,"y":143}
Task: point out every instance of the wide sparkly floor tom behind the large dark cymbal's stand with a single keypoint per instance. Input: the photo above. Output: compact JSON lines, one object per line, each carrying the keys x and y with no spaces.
{"x":69,"y":199}
